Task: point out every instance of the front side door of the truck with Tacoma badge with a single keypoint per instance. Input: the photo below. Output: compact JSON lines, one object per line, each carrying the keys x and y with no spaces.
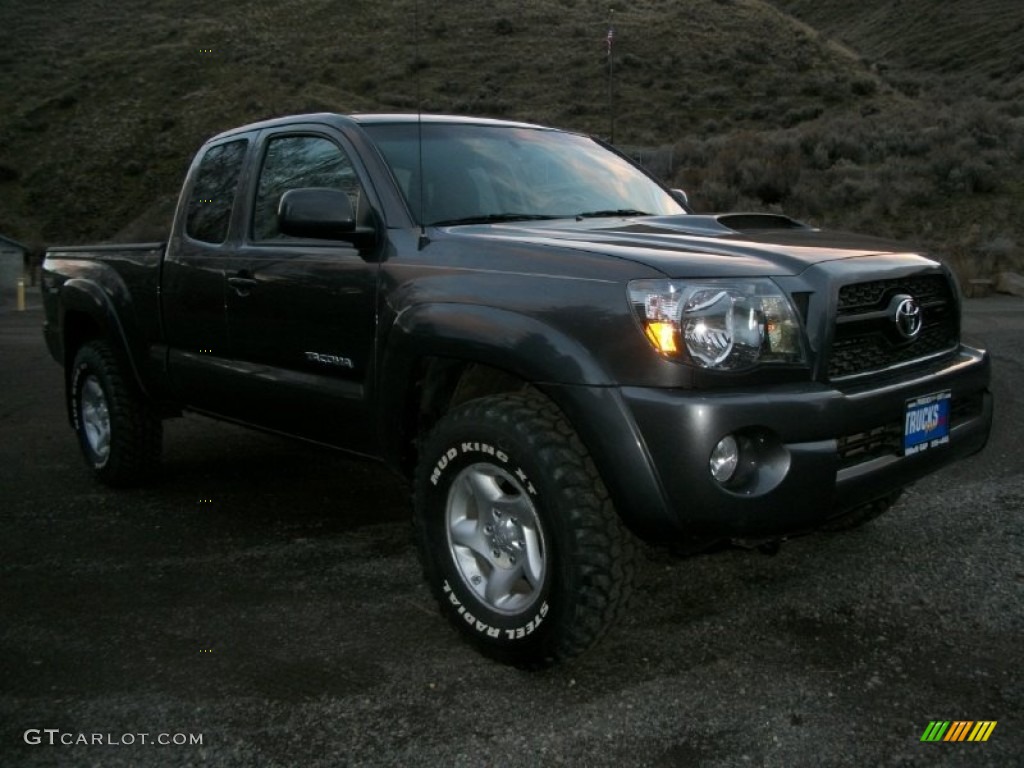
{"x":302,"y":313}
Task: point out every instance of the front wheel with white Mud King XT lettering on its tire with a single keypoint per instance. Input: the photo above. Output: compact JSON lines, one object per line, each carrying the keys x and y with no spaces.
{"x":518,"y":536}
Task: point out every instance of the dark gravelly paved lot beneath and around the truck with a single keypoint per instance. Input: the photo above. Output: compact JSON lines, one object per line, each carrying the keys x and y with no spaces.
{"x":267,"y":598}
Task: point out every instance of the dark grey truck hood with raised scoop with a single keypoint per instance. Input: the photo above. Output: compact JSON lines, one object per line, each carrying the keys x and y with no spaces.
{"x":696,"y":246}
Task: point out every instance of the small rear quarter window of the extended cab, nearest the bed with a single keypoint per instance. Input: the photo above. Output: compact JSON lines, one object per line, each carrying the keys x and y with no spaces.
{"x":214,"y":193}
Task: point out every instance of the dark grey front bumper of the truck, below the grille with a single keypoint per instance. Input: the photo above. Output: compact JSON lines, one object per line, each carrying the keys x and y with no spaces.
{"x":825,"y":450}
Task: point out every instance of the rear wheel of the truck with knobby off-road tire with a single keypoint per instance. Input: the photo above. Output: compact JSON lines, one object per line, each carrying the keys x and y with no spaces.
{"x":119,"y":433}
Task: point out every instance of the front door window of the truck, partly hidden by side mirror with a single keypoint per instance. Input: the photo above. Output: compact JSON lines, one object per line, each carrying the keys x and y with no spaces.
{"x":296,"y":162}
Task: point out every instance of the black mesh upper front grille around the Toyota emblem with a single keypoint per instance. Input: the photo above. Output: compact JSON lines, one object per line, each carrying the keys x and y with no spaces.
{"x":867,"y":338}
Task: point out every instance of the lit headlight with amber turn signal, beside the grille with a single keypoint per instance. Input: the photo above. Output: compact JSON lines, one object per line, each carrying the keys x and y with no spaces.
{"x":721,"y":325}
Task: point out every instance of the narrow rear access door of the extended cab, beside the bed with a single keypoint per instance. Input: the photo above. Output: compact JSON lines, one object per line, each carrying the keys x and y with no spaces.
{"x":193,"y":280}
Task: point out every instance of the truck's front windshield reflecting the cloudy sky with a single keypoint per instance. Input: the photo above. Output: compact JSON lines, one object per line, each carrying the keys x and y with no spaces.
{"x":480,"y":174}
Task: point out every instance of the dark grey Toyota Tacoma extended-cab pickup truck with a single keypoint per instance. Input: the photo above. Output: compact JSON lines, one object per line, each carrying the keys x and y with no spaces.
{"x":544,"y":339}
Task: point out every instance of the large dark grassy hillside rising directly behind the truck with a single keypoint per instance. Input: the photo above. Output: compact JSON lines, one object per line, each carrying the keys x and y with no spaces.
{"x":103,"y":104}
